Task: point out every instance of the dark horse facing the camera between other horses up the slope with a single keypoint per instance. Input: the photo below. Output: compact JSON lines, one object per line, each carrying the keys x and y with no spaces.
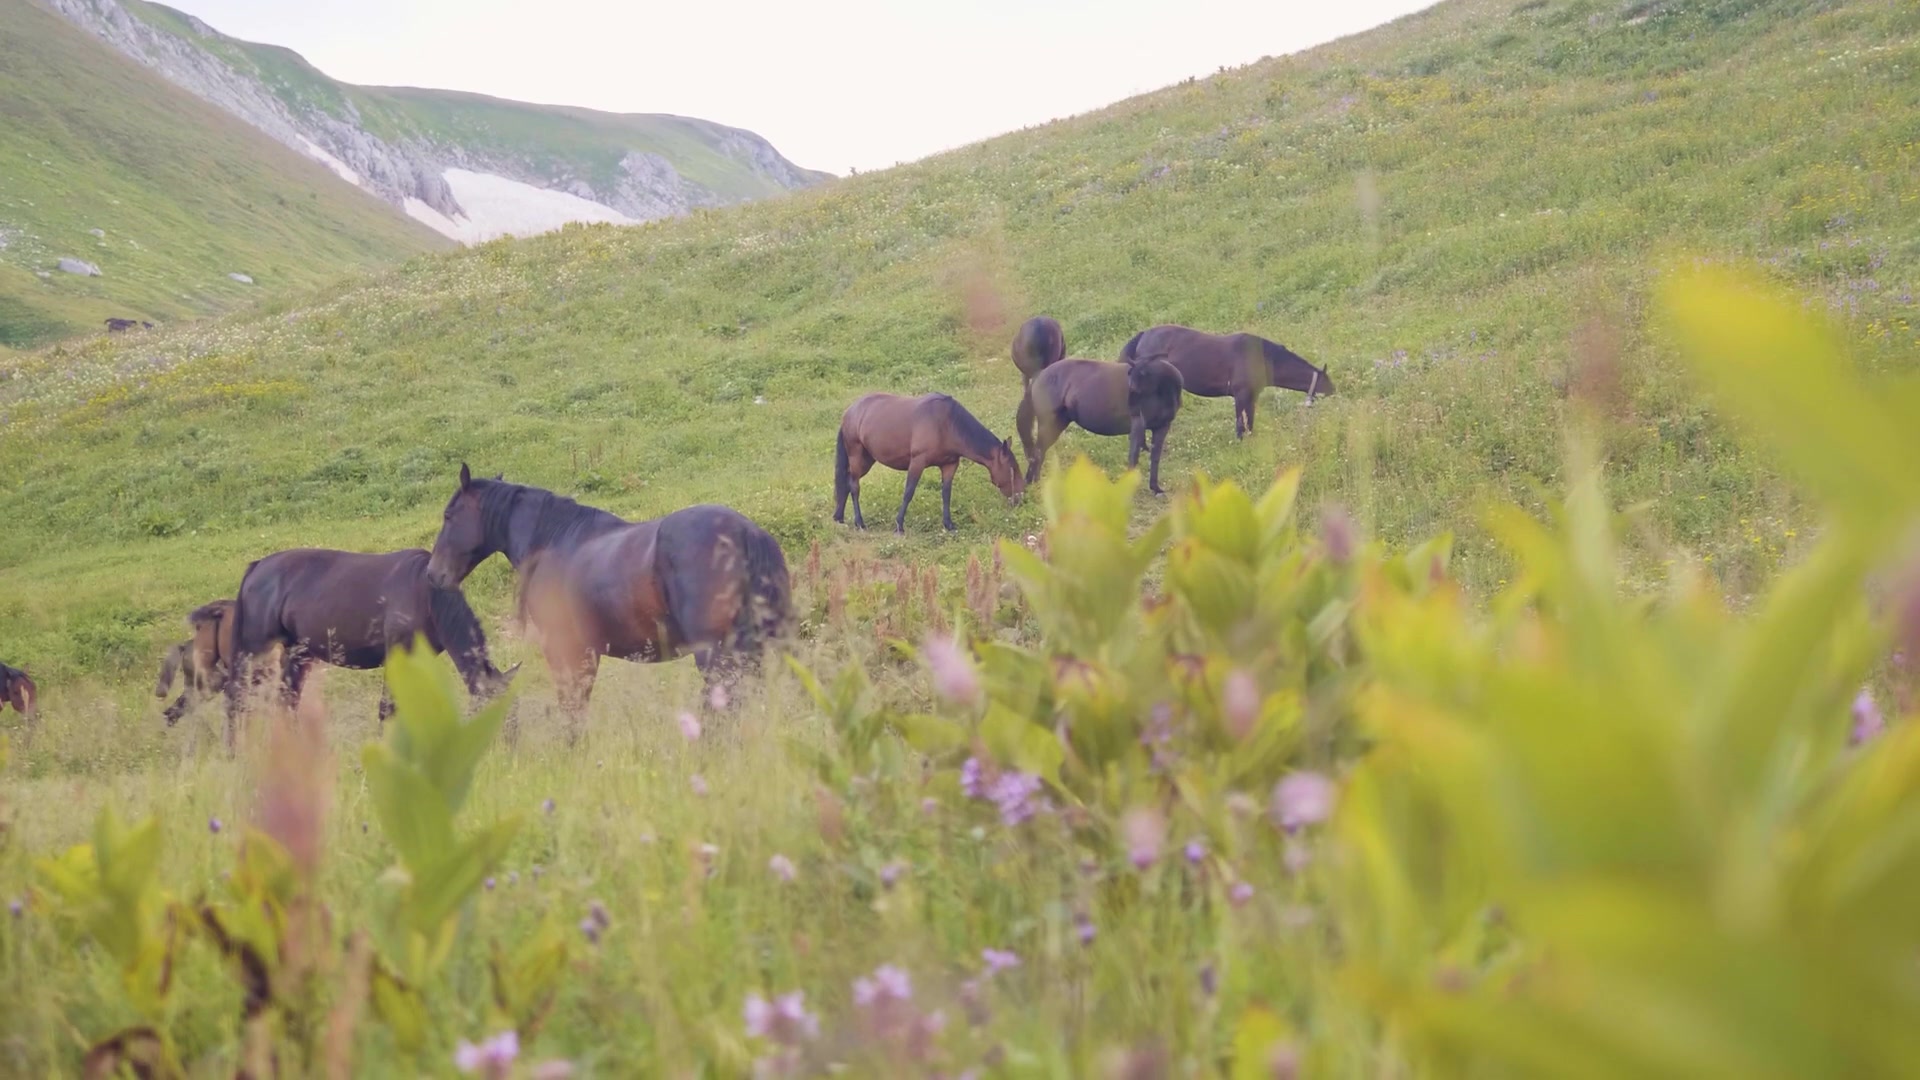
{"x":1107,"y":399}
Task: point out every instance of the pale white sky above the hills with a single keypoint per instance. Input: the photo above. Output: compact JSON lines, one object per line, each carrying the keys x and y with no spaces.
{"x":834,"y":86}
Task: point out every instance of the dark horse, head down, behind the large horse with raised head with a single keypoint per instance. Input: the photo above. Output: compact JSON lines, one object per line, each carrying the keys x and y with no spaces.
{"x":348,"y":610}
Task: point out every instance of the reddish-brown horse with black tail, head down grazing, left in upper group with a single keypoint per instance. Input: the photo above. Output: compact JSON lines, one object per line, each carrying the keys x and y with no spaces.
{"x":915,"y":435}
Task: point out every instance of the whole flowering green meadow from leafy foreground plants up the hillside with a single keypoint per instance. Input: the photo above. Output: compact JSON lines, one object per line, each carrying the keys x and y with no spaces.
{"x":1468,"y":218}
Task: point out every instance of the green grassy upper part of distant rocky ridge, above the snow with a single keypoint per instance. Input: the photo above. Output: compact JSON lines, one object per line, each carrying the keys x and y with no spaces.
{"x":556,"y":139}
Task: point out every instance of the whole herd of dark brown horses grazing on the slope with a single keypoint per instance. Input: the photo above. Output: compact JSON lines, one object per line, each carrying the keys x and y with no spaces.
{"x":706,"y":579}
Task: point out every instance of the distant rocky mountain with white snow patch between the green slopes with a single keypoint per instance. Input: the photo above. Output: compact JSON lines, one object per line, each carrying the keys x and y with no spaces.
{"x":469,"y":166}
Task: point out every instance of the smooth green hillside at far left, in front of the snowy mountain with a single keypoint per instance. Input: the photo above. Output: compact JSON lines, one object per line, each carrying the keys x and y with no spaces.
{"x":181,"y":193}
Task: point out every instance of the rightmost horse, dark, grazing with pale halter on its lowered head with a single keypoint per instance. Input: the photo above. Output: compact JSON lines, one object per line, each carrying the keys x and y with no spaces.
{"x":1230,"y":366}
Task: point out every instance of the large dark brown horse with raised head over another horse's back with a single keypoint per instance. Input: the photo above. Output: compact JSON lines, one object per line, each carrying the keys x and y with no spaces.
{"x":704,"y":579}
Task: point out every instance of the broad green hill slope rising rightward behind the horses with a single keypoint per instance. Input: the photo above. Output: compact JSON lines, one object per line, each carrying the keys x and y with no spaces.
{"x":1439,"y":210}
